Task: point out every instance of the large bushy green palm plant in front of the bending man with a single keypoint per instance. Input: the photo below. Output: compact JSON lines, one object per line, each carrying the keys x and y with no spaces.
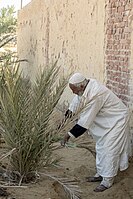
{"x":26,"y":114}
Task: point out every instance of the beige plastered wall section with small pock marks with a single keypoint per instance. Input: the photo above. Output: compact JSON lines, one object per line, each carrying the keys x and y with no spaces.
{"x":72,"y":30}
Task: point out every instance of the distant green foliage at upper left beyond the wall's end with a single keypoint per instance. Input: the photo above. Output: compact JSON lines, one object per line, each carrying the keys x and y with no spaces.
{"x":8,"y":23}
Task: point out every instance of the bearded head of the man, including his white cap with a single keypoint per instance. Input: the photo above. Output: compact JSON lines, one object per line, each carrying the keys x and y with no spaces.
{"x":77,"y":84}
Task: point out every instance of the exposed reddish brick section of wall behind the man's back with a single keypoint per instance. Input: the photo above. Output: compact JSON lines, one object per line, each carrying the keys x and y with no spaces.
{"x":118,"y":47}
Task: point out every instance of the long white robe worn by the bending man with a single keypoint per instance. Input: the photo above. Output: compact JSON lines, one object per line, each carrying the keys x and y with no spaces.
{"x":106,"y":117}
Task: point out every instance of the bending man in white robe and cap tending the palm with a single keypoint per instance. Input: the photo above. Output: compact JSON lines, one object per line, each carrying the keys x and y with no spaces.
{"x":106,"y":117}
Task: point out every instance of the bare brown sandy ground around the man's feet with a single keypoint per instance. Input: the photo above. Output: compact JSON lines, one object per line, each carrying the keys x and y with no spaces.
{"x":76,"y":164}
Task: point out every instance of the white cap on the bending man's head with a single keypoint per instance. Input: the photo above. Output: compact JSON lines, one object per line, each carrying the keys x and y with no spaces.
{"x":76,"y":78}
